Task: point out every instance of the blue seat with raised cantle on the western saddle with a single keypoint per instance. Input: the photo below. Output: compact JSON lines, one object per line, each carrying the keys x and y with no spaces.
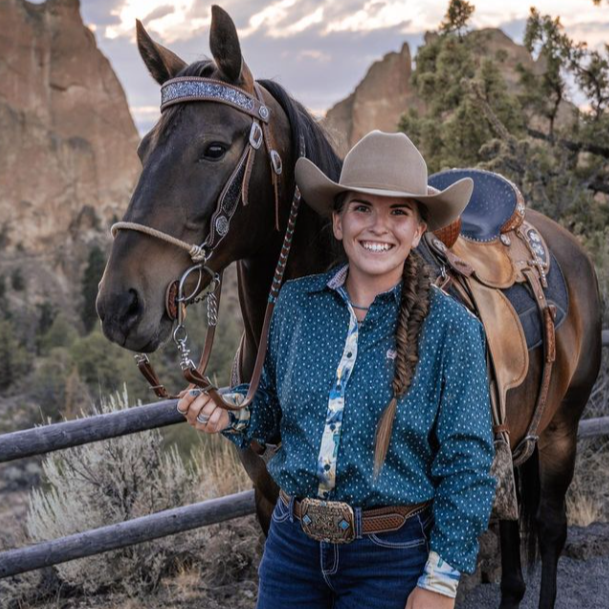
{"x":492,"y":204}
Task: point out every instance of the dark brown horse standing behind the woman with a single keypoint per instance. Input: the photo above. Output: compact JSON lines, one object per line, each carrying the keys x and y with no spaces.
{"x":189,"y":156}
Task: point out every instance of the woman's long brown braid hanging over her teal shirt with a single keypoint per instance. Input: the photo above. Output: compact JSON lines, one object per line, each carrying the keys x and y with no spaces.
{"x":414,"y":307}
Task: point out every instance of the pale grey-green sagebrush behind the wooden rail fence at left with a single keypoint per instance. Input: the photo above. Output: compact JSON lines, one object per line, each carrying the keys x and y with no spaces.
{"x":117,"y":480}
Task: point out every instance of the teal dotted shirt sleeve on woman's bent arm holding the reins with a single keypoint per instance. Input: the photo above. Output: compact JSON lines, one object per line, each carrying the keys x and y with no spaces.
{"x":260,"y":421}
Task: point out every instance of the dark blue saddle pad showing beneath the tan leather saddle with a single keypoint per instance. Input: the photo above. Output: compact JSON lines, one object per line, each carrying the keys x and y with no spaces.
{"x":522,"y":299}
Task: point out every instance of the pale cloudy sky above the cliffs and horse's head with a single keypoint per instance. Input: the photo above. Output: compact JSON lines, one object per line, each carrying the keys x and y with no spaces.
{"x":319,"y":50}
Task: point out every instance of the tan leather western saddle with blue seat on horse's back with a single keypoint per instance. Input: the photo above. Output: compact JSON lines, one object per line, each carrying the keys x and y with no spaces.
{"x":480,"y":257}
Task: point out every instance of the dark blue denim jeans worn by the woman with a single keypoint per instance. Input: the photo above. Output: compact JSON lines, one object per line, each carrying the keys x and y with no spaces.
{"x":378,"y":570}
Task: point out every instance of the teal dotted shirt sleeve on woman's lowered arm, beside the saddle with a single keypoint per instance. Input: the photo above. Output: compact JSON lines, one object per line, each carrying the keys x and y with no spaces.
{"x":461,"y":467}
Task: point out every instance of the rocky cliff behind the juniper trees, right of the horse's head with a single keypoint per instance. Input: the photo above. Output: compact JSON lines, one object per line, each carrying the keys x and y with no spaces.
{"x":386,"y":91}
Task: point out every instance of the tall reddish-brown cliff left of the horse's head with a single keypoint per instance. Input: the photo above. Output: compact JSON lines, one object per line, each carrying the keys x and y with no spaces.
{"x":67,"y":145}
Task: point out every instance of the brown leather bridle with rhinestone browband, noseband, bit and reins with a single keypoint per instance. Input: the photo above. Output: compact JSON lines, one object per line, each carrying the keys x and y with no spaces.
{"x":191,"y":89}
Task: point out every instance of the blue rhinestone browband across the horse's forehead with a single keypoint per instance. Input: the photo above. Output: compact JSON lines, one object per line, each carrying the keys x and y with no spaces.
{"x":192,"y":88}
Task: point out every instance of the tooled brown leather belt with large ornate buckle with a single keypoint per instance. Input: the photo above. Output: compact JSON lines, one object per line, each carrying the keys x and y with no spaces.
{"x":374,"y":520}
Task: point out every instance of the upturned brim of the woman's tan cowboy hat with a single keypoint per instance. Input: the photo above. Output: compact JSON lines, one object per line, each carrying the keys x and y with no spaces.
{"x":443,"y":207}
